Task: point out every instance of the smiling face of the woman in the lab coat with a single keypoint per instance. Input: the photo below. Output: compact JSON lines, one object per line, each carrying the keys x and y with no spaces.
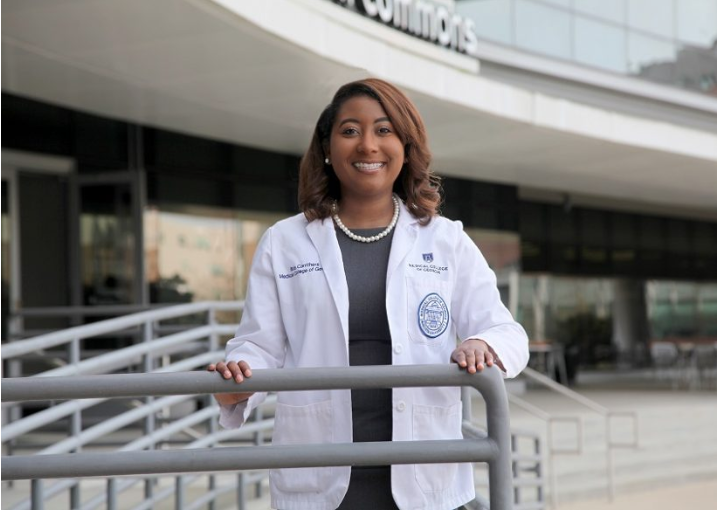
{"x":365,"y":151}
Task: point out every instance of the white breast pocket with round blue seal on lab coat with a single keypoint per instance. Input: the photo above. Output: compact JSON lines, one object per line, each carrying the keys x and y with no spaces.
{"x":428,"y":313}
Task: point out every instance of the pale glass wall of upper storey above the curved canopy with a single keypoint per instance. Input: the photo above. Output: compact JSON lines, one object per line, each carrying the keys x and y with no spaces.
{"x":672,"y":42}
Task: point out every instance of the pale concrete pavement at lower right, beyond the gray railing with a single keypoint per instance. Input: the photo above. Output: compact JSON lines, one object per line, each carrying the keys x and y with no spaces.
{"x":677,"y":442}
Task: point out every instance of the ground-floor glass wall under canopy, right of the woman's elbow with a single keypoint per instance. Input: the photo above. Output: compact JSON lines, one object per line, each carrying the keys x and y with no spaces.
{"x":577,"y":311}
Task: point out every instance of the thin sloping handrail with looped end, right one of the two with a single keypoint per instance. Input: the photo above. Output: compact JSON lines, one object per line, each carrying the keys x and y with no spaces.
{"x":607,"y":413}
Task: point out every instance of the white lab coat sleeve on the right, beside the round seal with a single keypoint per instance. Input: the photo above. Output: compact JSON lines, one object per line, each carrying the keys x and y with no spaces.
{"x":478,"y":311}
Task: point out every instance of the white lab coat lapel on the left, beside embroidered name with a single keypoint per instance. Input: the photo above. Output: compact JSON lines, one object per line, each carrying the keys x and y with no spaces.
{"x":322,"y":234}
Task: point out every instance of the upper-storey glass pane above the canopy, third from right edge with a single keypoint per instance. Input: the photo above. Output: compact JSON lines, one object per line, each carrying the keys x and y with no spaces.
{"x":600,"y":45}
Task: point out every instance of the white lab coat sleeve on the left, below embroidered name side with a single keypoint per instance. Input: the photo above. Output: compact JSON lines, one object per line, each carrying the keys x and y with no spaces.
{"x":260,"y":339}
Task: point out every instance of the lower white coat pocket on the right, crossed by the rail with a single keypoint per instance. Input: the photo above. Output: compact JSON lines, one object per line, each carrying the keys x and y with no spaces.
{"x":432,"y":423}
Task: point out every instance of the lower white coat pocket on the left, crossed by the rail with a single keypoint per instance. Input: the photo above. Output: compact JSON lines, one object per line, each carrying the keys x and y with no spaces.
{"x":308,"y":424}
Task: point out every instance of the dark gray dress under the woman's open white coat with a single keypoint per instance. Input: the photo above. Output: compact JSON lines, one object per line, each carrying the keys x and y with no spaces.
{"x":370,"y":343}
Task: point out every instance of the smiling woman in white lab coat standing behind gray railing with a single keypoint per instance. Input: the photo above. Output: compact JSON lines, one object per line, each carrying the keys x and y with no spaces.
{"x":368,"y":274}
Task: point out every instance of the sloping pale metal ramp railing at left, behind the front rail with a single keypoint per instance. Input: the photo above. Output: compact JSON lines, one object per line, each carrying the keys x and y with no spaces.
{"x":148,"y":328}
